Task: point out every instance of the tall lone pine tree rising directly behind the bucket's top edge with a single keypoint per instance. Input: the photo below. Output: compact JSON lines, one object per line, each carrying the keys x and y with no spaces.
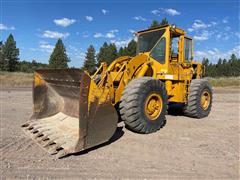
{"x":59,"y":58}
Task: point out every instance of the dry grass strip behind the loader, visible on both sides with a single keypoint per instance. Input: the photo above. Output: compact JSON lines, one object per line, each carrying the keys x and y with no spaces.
{"x":18,"y":79}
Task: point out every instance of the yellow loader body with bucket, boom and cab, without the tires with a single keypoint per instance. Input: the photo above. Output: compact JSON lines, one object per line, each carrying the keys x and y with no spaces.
{"x":73,"y":112}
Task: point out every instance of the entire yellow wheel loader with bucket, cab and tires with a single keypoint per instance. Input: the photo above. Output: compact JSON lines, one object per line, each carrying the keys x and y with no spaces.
{"x":74,"y":111}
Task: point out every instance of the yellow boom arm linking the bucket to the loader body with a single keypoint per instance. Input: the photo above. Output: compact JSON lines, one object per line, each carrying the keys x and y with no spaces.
{"x":119,"y":73}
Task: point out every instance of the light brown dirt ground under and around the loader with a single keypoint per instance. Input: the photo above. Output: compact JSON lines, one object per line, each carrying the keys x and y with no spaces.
{"x":184,"y":149}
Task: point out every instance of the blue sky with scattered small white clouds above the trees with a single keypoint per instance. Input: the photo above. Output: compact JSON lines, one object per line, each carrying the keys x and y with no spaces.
{"x":37,"y":24}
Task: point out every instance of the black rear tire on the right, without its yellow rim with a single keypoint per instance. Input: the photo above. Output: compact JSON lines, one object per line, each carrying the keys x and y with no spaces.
{"x":194,"y":108}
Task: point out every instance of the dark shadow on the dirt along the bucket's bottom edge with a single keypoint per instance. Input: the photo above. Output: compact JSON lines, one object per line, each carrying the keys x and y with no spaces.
{"x":117,"y":135}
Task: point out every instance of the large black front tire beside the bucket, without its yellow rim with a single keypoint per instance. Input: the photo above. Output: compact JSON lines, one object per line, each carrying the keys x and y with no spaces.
{"x":133,"y":101}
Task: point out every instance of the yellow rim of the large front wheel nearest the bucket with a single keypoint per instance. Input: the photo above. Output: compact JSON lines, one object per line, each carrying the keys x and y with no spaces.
{"x":153,"y":106}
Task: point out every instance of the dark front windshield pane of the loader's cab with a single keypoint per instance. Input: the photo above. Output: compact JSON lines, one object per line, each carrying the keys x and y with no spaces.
{"x":146,"y":41}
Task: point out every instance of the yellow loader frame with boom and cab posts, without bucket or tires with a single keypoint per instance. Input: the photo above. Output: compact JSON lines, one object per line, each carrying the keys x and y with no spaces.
{"x":177,"y":72}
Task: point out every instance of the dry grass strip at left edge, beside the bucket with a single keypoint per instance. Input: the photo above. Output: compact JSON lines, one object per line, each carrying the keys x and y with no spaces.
{"x":15,"y":79}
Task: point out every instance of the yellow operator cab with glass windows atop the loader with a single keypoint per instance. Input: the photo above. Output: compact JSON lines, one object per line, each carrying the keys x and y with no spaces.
{"x":154,"y":41}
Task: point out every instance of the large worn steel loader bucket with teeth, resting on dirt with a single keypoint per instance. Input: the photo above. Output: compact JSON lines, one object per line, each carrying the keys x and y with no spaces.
{"x":70,"y":113}
